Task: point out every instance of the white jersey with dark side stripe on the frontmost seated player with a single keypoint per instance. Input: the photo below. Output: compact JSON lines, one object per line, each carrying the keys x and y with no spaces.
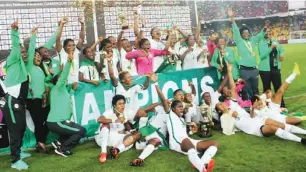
{"x":177,"y":129}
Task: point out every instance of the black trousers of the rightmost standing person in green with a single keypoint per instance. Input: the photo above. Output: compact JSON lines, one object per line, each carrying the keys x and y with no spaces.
{"x":274,"y":77}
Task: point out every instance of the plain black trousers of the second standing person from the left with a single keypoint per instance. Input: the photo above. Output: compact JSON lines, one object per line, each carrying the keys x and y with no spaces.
{"x":39,"y":116}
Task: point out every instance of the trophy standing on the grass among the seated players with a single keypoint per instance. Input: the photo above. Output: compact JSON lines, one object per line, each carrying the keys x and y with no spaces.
{"x":206,"y":122}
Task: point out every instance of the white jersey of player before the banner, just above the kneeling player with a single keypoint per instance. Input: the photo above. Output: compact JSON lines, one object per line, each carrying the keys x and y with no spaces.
{"x":131,"y":95}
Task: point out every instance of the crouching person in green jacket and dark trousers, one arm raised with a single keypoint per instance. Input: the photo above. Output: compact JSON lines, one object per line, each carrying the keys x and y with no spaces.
{"x":60,"y":114}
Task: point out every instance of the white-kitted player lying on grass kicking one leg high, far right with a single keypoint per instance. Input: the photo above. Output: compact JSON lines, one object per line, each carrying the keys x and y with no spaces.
{"x":273,"y":109}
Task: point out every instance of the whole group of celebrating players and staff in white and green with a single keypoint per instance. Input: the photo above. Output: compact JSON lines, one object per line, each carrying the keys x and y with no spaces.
{"x":37,"y":82}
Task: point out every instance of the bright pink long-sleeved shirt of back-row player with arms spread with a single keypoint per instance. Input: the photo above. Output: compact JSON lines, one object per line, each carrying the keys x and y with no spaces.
{"x":144,"y":64}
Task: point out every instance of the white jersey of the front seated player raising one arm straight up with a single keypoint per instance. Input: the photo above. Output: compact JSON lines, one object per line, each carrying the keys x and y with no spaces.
{"x":159,"y":120}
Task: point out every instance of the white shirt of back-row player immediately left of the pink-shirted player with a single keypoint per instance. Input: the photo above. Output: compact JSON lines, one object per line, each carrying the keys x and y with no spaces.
{"x":128,"y":65}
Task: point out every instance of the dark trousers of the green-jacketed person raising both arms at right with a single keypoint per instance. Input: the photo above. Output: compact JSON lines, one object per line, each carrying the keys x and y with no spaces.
{"x":250,"y":75}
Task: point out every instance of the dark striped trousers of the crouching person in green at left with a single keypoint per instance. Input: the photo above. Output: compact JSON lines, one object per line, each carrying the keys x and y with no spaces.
{"x":69,"y":133}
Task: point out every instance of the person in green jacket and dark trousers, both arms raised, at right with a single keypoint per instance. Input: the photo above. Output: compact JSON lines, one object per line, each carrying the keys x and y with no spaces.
{"x":246,"y":50}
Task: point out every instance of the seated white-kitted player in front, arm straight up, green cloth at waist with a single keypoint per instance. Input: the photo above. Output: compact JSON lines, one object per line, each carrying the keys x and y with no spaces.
{"x":156,"y":130}
